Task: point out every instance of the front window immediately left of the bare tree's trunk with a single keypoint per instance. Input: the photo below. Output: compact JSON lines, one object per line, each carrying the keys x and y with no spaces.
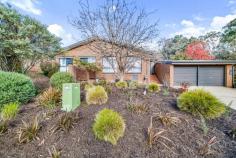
{"x":109,"y":64}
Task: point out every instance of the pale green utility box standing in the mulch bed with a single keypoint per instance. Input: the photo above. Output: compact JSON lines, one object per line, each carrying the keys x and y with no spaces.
{"x":70,"y":96}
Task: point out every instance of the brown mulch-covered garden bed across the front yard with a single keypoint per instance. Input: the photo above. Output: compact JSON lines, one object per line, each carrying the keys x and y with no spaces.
{"x":186,"y":137}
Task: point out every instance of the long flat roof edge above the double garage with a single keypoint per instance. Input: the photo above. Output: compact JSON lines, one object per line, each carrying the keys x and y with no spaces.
{"x":198,"y":62}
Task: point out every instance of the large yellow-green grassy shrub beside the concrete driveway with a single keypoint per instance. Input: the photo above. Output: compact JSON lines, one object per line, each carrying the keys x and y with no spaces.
{"x":199,"y":102}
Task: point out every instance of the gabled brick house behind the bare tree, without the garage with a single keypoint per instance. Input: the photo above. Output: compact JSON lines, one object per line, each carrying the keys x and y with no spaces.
{"x":141,"y":72}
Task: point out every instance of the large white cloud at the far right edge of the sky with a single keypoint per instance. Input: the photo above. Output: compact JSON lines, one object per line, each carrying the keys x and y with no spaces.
{"x":220,"y":21}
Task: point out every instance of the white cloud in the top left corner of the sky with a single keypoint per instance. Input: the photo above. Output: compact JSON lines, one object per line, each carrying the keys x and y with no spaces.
{"x":26,"y":5}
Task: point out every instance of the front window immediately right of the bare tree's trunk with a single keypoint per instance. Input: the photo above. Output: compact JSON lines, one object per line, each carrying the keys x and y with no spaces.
{"x":134,"y":65}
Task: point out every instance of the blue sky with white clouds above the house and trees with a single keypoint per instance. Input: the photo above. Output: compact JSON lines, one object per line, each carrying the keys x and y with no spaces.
{"x":187,"y":17}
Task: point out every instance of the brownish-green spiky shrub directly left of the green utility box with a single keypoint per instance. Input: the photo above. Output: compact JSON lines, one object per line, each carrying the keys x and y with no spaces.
{"x":50,"y":98}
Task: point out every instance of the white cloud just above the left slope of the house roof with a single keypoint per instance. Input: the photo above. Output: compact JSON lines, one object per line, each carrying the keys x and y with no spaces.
{"x":58,"y":30}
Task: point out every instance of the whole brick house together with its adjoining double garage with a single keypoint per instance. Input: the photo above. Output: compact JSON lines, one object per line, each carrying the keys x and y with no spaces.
{"x":146,"y":69}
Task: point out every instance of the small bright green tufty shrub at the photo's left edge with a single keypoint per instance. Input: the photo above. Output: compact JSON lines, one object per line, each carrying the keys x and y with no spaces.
{"x":9,"y":111}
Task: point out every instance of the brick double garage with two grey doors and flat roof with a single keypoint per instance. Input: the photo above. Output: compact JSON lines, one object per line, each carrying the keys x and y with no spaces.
{"x":196,"y":73}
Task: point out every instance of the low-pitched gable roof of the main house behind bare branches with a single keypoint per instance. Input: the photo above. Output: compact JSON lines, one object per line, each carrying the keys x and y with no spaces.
{"x":89,"y":40}
